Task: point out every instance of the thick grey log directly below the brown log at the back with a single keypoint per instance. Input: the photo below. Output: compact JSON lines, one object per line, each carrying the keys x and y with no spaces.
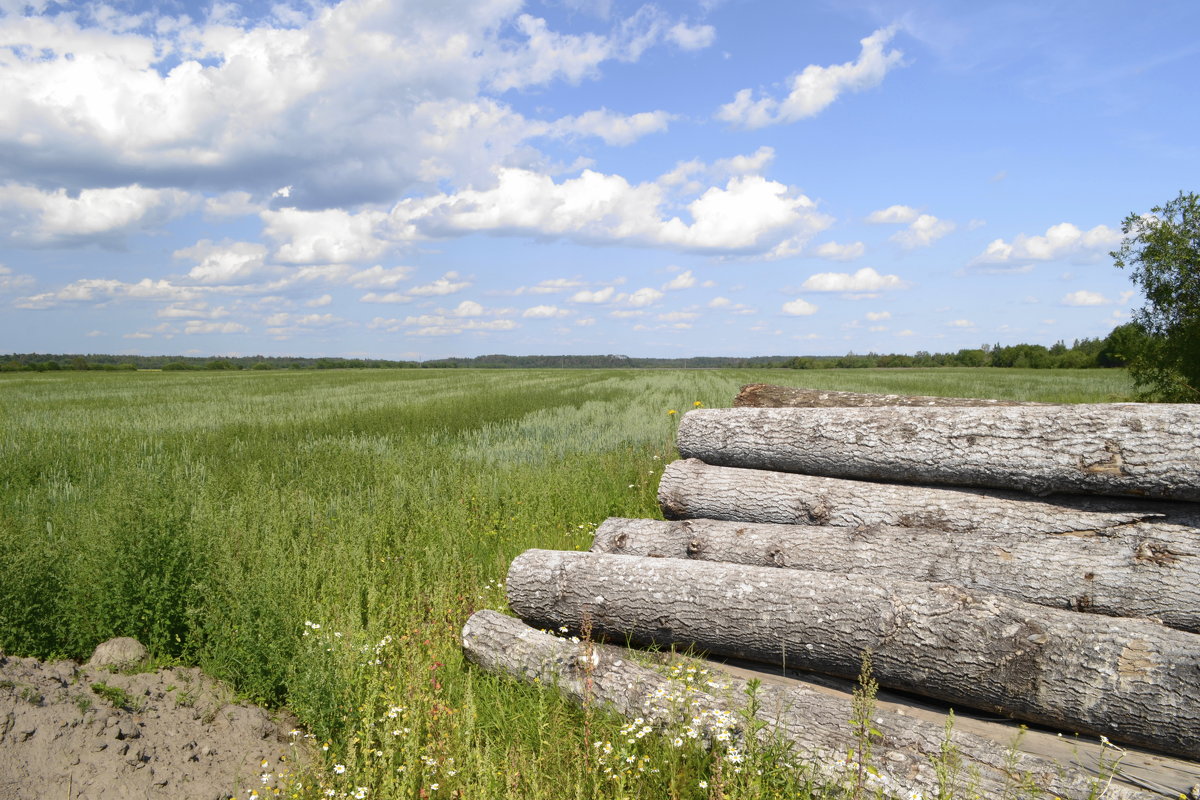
{"x":1142,"y":450}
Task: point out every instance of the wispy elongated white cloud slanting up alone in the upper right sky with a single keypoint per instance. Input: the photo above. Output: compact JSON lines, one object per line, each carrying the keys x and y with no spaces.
{"x":817,"y":88}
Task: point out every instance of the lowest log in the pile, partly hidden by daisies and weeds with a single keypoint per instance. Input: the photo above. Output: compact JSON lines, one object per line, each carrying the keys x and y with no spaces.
{"x":815,"y":723}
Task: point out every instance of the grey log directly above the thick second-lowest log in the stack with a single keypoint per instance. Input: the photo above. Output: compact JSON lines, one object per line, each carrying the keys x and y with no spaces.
{"x":1119,"y":575}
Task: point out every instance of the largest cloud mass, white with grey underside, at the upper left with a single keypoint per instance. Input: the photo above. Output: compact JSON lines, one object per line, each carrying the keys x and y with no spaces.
{"x":236,"y":109}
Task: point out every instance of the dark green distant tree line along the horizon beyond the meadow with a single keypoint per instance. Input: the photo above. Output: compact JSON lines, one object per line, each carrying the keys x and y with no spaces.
{"x":1118,"y":350}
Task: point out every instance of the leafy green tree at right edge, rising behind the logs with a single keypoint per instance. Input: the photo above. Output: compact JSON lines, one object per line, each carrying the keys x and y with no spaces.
{"x":1162,"y":250}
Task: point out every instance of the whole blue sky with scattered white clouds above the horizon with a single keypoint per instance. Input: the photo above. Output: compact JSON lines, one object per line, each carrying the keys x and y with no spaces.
{"x":434,"y":178}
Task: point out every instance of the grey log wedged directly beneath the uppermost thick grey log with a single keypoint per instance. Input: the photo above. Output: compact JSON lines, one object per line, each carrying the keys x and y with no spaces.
{"x":692,"y":490}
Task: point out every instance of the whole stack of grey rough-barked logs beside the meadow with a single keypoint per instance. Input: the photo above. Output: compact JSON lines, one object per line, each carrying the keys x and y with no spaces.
{"x":1029,"y":561}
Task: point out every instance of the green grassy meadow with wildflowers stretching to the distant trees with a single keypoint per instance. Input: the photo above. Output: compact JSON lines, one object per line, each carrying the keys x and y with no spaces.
{"x":319,"y":538}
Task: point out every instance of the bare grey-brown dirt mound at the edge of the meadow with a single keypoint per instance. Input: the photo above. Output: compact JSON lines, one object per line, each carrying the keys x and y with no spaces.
{"x":77,"y":733}
